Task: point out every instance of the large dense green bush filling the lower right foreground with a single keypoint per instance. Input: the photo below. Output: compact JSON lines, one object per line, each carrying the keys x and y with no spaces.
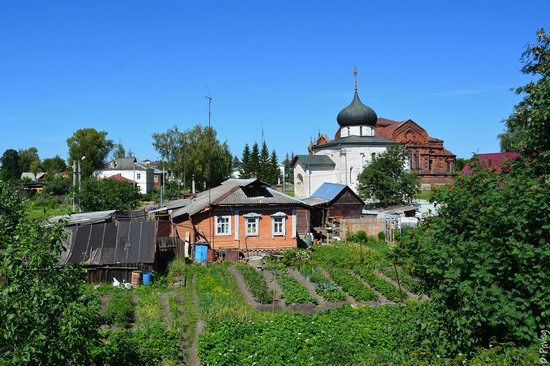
{"x":484,"y":257}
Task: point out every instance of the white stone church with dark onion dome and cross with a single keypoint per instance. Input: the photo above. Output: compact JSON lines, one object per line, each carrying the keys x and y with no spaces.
{"x":340,"y":160}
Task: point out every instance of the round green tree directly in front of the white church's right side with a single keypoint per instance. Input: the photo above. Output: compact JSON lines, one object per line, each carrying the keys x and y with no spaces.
{"x":387,"y":181}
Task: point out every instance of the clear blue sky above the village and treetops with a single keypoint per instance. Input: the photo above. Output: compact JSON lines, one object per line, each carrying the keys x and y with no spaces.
{"x":137,"y":67}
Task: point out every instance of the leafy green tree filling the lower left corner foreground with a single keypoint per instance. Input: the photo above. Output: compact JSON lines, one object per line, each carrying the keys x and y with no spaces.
{"x":47,"y":315}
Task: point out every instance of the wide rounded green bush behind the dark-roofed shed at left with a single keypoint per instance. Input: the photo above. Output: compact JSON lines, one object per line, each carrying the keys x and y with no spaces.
{"x":107,"y":194}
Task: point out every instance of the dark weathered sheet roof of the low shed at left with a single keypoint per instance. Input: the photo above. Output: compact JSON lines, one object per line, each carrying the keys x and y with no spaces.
{"x":109,"y":243}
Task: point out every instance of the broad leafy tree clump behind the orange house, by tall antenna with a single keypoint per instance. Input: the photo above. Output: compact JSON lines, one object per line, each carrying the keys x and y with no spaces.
{"x":197,"y":152}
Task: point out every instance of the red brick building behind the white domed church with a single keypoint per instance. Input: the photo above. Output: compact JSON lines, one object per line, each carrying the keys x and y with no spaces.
{"x":427,"y":156}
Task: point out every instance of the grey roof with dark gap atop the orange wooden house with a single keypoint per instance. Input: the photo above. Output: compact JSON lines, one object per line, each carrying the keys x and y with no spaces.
{"x":234,"y":192}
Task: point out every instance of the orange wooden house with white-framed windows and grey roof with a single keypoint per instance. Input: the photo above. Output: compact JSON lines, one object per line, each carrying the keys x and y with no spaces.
{"x":245,"y":215}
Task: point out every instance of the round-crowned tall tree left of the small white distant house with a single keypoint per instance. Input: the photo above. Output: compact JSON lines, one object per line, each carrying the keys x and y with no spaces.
{"x":93,"y":146}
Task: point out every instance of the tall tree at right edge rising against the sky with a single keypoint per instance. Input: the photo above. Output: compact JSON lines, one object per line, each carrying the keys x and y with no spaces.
{"x":528,"y":127}
